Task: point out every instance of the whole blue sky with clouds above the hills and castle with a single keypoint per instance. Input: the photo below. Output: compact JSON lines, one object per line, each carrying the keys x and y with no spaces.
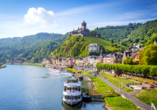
{"x":25,"y":17}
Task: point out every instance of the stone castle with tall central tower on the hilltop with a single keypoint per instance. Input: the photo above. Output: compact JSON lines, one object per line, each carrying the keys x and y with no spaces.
{"x":83,"y":31}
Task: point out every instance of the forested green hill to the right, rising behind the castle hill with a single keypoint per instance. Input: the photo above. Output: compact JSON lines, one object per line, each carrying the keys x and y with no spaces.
{"x":128,"y":34}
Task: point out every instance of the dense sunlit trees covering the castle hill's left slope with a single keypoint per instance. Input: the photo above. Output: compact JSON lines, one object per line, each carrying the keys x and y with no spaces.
{"x":72,"y":47}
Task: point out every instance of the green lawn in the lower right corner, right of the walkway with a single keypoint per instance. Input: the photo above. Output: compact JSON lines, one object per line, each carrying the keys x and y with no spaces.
{"x":148,"y":96}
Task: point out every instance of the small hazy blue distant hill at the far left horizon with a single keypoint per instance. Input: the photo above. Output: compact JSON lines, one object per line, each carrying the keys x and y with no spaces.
{"x":9,"y":40}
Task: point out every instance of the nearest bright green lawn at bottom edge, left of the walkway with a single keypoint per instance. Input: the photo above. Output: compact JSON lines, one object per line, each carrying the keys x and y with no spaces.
{"x":119,"y":103}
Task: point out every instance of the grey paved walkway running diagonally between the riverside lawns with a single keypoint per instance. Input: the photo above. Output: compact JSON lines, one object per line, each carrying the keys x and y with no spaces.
{"x":131,"y":97}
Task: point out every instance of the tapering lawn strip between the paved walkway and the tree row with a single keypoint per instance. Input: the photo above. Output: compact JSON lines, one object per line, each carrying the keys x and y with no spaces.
{"x":116,"y":80}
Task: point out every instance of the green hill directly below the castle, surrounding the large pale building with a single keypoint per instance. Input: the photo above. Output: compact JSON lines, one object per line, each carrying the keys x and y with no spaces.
{"x":76,"y":46}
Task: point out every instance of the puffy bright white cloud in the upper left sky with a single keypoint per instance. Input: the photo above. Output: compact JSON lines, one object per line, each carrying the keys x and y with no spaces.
{"x":40,"y":16}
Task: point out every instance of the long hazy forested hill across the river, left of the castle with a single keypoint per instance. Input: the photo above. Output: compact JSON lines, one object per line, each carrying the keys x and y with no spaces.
{"x":34,"y":46}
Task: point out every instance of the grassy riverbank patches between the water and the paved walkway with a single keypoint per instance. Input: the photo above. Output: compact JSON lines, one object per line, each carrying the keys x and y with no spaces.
{"x":113,"y":102}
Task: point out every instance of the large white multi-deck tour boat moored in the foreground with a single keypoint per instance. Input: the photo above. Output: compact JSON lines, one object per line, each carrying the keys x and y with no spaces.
{"x":72,"y":91}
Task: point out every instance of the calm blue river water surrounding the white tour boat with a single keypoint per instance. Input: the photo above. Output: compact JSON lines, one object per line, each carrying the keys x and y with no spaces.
{"x":24,"y":87}
